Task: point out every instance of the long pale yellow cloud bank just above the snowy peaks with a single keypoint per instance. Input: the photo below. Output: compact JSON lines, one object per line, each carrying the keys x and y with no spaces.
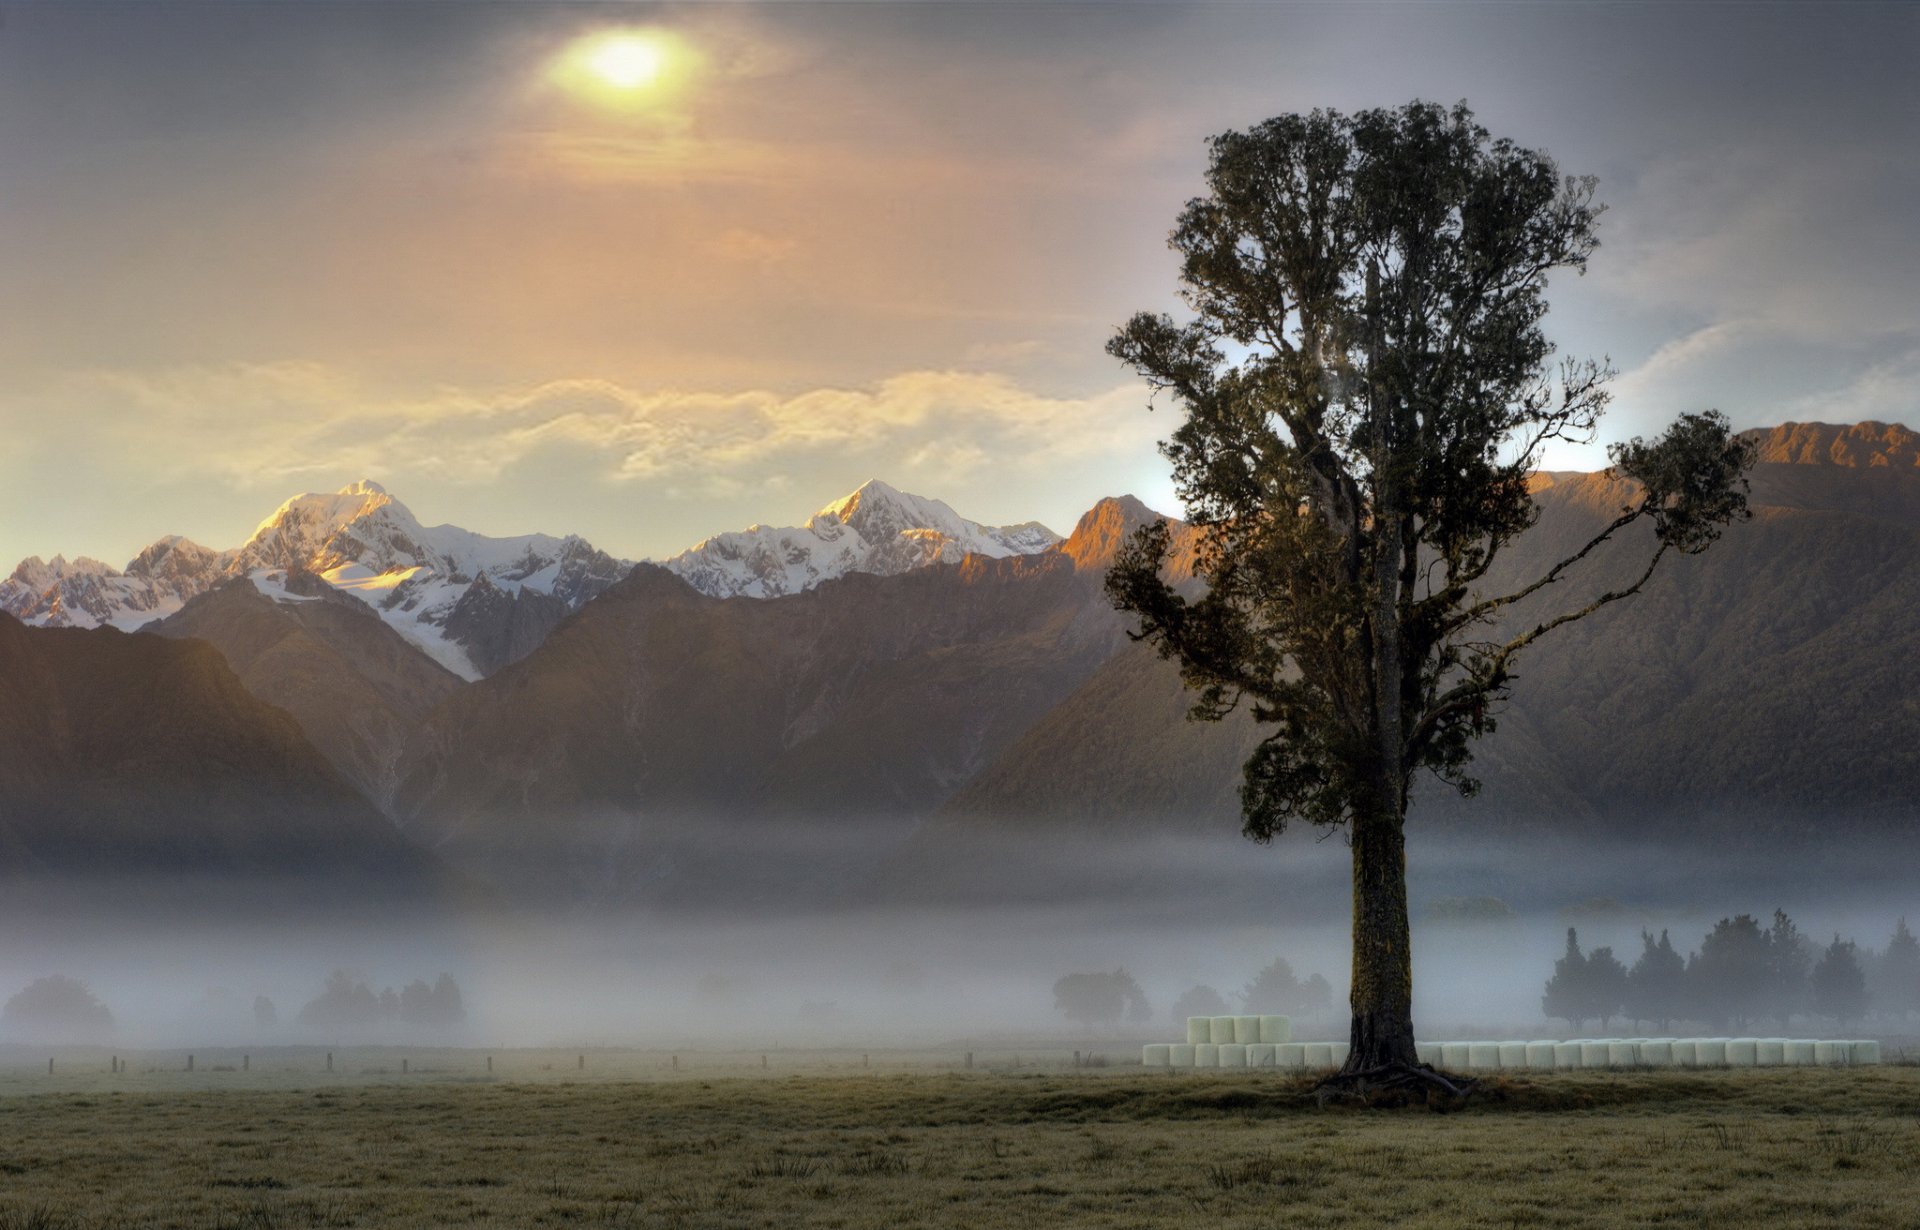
{"x":270,"y":425}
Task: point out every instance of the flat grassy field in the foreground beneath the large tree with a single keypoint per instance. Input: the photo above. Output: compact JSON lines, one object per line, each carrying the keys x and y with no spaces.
{"x":988,"y":1148}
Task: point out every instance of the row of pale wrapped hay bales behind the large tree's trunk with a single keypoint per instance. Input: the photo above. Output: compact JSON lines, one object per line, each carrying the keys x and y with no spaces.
{"x":1518,"y":1056}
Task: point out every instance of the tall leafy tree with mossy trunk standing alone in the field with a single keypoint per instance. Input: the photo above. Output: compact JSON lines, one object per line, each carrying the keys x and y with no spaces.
{"x":1366,"y":394}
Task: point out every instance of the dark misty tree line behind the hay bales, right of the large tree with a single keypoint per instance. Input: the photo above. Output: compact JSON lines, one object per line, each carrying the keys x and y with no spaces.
{"x":1740,"y":976}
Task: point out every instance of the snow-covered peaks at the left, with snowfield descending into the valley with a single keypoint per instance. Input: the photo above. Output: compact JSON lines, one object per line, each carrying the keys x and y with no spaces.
{"x":362,"y":542}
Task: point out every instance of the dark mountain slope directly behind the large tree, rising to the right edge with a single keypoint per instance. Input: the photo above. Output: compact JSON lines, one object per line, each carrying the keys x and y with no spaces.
{"x":1771,"y":684}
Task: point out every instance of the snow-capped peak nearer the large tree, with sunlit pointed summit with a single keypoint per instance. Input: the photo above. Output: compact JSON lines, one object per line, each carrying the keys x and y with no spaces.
{"x":875,"y":531}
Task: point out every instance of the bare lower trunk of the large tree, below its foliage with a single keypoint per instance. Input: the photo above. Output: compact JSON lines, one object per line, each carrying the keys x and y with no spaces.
{"x":1383,"y":947}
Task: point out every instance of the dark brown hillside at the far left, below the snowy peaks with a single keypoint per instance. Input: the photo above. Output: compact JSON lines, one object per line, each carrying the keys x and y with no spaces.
{"x":141,"y":755}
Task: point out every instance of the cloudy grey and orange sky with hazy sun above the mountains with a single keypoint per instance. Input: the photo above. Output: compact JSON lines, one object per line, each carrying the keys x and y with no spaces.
{"x":251,"y":250}
